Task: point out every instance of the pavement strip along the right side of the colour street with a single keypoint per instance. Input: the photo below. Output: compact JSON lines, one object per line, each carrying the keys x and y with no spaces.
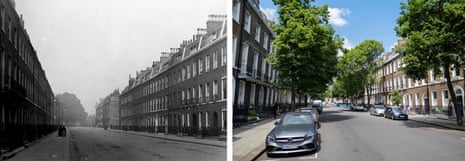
{"x":437,"y":121}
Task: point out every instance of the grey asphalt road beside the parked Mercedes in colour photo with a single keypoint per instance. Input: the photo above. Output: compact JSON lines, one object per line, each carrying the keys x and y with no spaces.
{"x":357,"y":136}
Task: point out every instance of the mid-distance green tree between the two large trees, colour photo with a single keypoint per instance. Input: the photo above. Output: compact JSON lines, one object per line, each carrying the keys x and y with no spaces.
{"x":357,"y":68}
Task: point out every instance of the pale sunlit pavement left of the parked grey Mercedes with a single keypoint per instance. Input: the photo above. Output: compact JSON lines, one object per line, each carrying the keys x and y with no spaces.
{"x":249,"y":140}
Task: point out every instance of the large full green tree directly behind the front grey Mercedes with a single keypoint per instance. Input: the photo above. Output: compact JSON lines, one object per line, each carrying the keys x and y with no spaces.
{"x":306,"y":48}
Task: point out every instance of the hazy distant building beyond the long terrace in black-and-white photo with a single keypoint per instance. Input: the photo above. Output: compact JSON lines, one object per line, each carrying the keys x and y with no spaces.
{"x":107,"y":111}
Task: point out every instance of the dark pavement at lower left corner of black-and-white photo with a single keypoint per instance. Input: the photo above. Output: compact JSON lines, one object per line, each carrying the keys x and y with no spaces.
{"x":51,"y":148}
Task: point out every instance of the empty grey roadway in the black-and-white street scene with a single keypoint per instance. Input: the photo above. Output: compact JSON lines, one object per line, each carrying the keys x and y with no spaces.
{"x":95,"y":144}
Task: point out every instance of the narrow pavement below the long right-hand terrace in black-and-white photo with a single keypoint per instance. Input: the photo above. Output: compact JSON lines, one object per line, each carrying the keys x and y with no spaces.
{"x":212,"y":141}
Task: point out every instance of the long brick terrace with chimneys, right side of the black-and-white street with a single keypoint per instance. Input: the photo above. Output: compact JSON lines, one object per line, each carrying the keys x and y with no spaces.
{"x":185,"y":92}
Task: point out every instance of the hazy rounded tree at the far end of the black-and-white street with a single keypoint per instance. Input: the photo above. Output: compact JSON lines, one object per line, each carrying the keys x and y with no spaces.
{"x":73,"y":111}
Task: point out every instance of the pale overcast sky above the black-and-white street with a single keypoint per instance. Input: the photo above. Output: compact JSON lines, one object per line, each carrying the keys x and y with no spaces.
{"x":89,"y":47}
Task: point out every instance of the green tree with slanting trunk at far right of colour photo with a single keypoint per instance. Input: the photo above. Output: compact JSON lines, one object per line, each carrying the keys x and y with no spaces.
{"x":435,"y":37}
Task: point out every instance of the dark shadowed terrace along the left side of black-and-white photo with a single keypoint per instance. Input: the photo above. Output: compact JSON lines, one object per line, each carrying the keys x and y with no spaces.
{"x":28,"y":109}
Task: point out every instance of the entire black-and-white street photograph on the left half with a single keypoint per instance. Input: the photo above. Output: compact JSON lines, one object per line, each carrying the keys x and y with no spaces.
{"x":100,"y":80}
